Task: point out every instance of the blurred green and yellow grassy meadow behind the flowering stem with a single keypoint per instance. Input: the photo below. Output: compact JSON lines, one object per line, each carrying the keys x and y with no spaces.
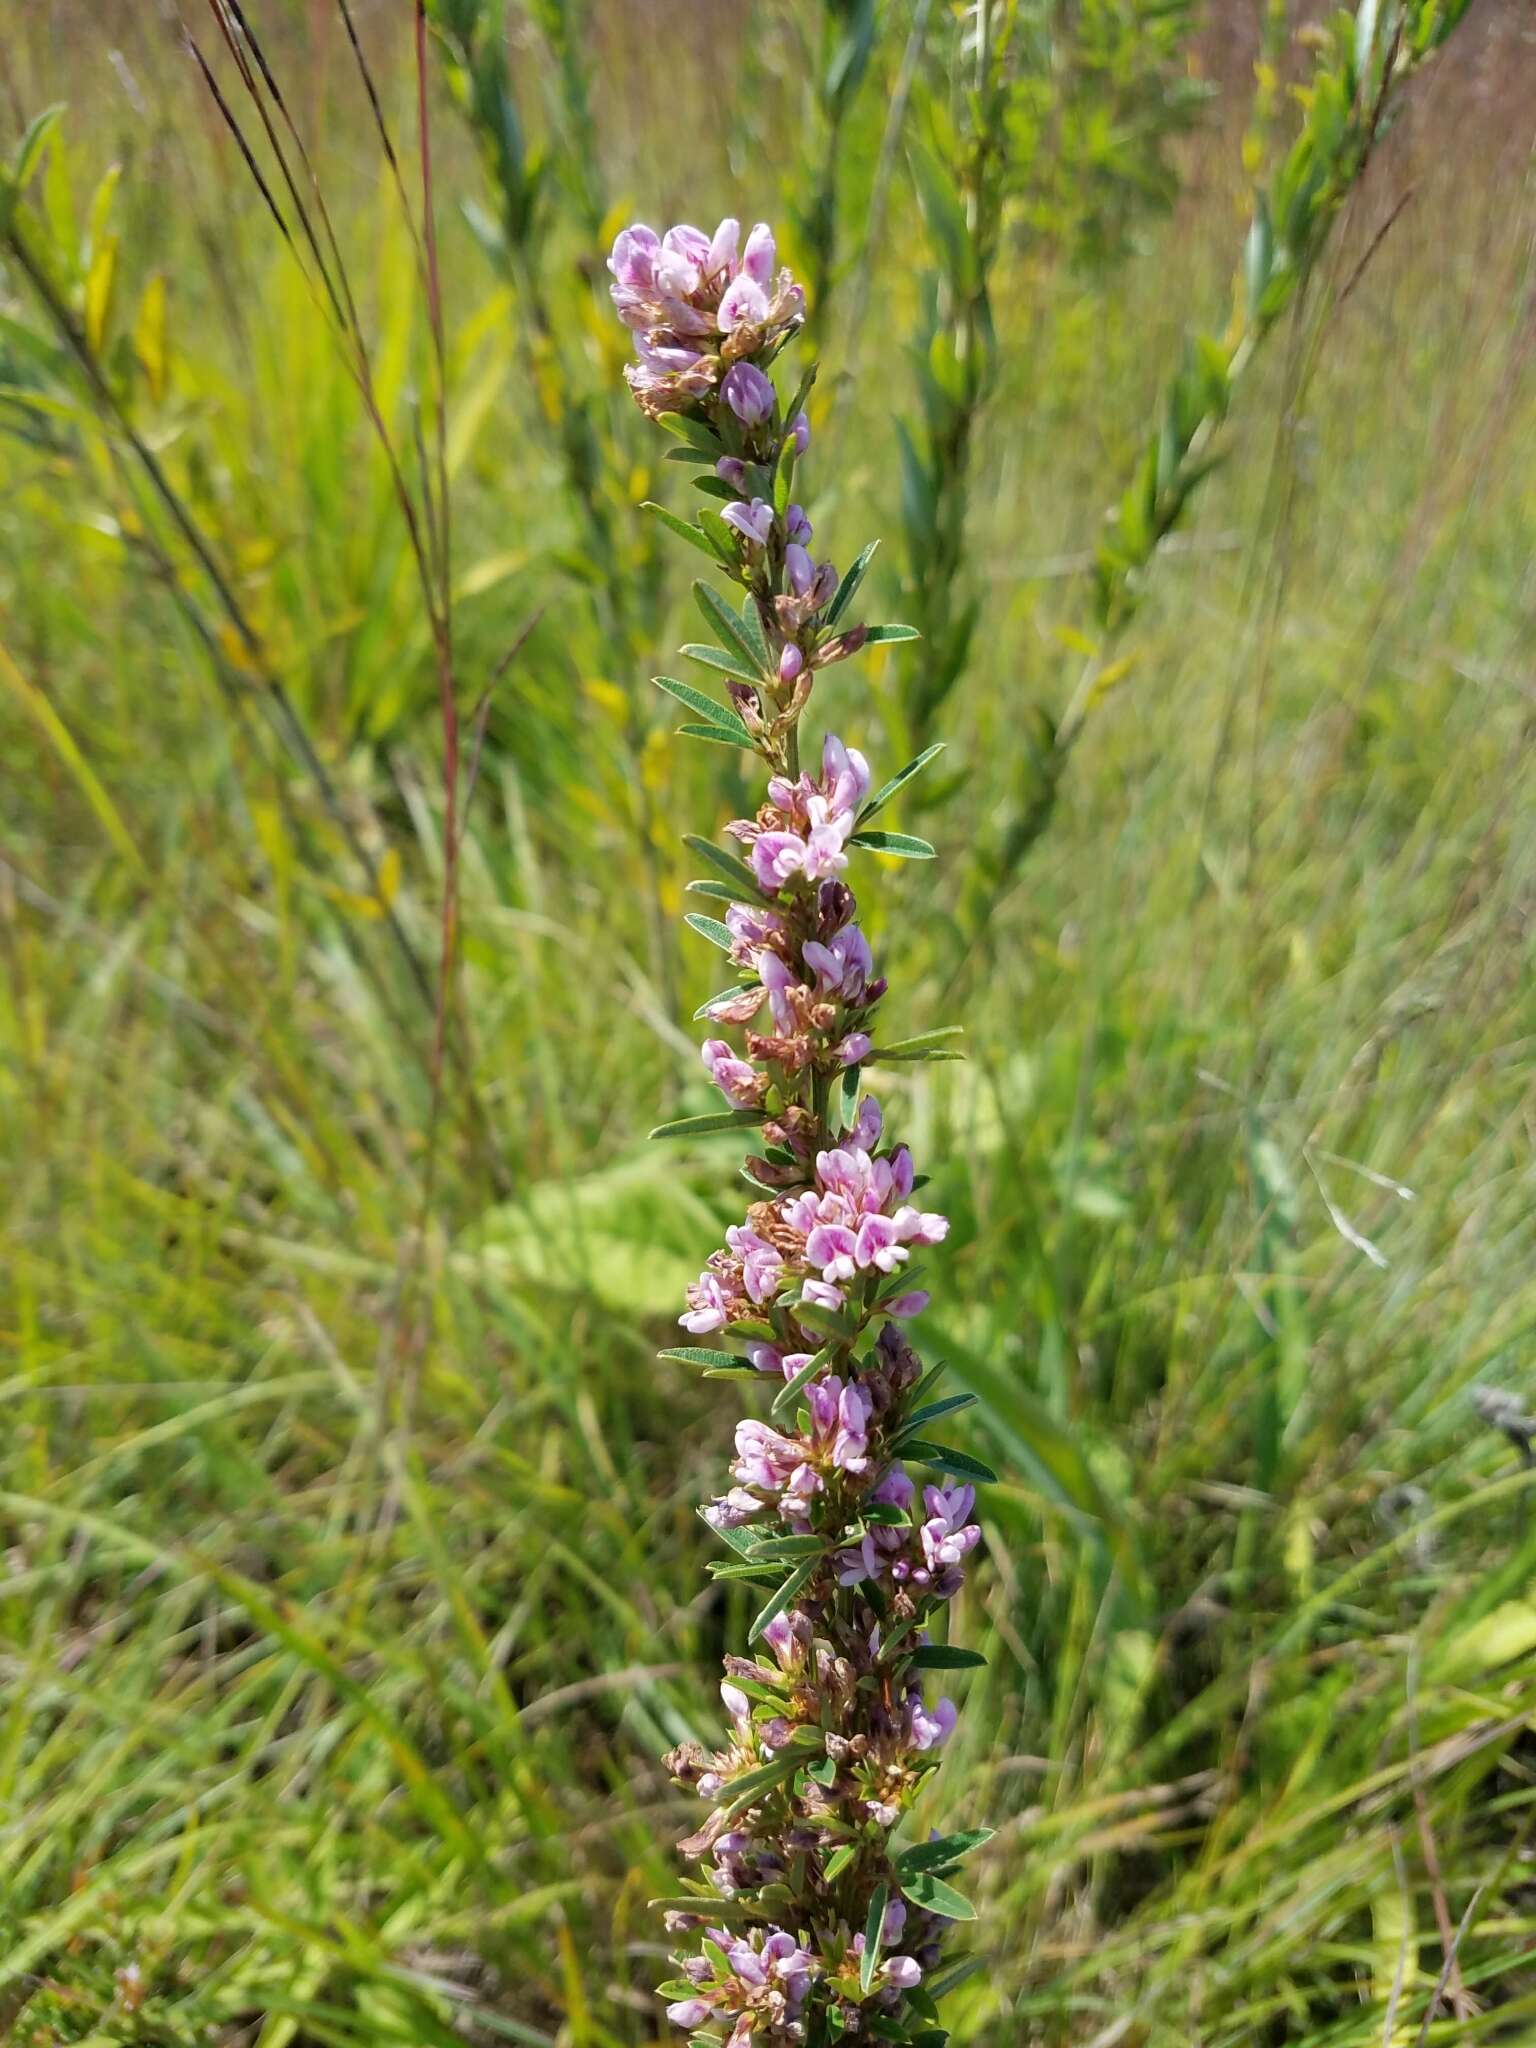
{"x":349,"y":1574}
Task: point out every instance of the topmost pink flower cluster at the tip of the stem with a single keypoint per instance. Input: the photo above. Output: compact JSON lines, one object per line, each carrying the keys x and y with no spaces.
{"x":697,"y":306}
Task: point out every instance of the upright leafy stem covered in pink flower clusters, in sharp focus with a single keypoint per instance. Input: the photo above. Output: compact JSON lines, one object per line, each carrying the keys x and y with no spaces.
{"x":808,"y":1922}
